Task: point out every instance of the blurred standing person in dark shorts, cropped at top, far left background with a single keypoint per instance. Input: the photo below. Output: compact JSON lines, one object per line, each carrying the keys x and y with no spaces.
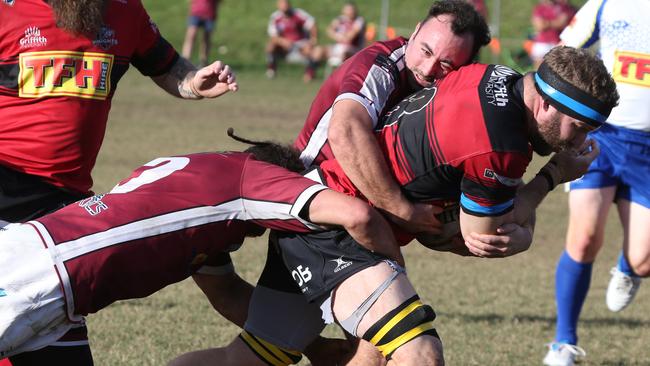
{"x":203,"y":14}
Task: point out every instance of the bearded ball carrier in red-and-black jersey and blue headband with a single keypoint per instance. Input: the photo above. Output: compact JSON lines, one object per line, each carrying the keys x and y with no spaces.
{"x":475,"y":162}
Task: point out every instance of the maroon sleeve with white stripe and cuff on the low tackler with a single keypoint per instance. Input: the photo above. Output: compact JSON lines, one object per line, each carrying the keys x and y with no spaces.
{"x":273,"y":196}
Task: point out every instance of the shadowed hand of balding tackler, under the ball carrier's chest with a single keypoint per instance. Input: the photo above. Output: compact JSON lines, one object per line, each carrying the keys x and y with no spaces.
{"x":418,"y":218}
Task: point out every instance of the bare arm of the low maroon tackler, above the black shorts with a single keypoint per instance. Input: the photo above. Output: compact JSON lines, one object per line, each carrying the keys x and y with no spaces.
{"x":365,"y":224}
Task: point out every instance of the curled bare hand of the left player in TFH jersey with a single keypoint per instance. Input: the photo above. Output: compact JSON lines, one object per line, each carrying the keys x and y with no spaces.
{"x":214,"y":80}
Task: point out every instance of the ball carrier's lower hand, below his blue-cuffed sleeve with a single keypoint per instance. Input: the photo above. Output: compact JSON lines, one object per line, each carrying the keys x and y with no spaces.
{"x":510,"y":239}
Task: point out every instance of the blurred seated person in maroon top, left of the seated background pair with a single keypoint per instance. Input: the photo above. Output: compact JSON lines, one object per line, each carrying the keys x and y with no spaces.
{"x":292,"y":35}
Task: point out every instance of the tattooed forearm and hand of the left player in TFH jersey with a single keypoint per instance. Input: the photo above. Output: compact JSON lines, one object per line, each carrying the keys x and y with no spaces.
{"x":183,"y":80}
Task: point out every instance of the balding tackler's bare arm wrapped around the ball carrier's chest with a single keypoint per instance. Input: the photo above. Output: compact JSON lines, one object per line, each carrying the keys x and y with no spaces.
{"x":355,"y":147}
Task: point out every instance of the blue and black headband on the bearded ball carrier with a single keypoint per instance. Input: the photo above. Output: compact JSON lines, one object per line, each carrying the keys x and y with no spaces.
{"x":568,"y":99}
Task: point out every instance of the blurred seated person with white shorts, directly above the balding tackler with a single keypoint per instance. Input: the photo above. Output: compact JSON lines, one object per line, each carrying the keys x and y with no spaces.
{"x":348,"y":31}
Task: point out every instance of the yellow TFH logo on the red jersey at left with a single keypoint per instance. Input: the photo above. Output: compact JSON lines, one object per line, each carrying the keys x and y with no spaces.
{"x":58,"y":73}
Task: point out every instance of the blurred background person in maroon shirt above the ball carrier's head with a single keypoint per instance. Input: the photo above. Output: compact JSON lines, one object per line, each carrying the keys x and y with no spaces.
{"x":549,"y":18}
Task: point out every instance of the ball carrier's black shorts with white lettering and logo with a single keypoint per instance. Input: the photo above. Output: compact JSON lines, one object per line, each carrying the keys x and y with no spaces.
{"x":316,"y":262}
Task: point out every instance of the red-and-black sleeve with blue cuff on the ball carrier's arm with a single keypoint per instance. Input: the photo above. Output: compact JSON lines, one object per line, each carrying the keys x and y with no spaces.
{"x":490,"y":182}
